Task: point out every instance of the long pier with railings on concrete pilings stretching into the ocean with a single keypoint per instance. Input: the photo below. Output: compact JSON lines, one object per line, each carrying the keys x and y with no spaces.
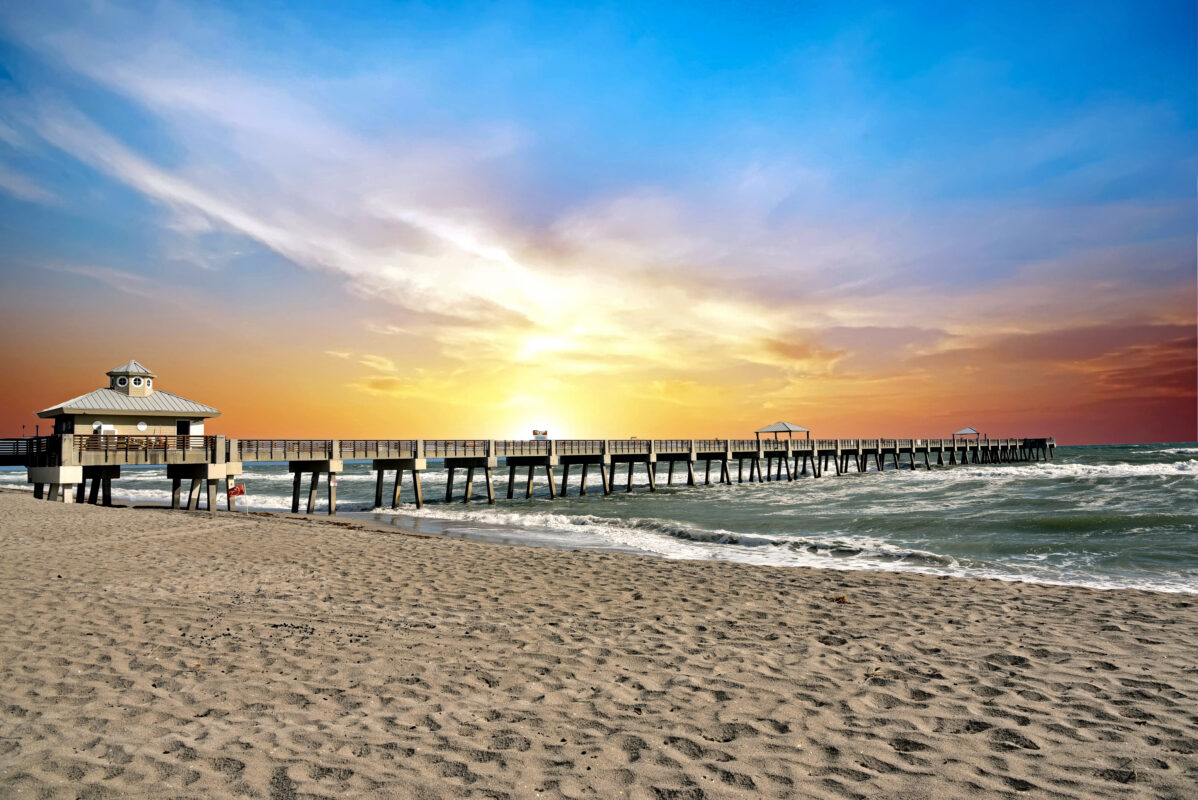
{"x":65,"y":463}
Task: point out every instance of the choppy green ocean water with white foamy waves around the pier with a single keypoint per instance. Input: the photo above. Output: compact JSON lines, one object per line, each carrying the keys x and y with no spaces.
{"x":1109,"y":517}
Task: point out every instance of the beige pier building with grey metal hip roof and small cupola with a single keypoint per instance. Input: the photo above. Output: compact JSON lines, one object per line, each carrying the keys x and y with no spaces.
{"x":130,"y":405}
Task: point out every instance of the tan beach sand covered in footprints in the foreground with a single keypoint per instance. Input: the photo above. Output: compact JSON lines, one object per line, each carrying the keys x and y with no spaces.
{"x":171,"y":654}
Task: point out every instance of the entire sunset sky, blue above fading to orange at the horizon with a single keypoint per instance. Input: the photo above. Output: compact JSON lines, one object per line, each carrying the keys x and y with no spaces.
{"x":380,"y":220}
